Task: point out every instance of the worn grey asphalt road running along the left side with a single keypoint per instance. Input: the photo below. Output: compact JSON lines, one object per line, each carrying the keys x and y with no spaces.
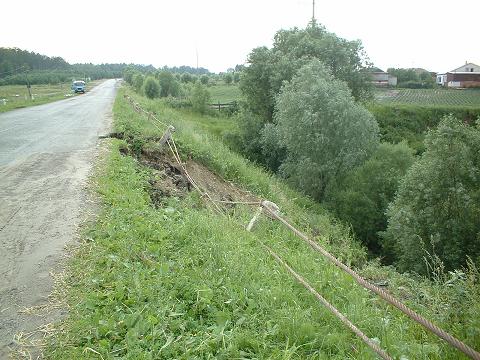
{"x":46,"y":154}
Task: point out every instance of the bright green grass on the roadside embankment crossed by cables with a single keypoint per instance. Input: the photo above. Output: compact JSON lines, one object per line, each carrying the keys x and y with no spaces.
{"x":184,"y":282}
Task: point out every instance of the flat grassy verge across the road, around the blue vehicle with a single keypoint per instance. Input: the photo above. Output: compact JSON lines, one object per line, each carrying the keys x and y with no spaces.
{"x":17,"y":96}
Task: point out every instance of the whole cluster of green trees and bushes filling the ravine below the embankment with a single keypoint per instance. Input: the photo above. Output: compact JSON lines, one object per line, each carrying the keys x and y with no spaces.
{"x":305,"y":119}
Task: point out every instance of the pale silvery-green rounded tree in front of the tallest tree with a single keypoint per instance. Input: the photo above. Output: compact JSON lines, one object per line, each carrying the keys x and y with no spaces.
{"x":324,"y":131}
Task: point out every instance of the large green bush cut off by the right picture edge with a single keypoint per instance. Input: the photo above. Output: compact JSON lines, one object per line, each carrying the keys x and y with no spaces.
{"x":437,"y":209}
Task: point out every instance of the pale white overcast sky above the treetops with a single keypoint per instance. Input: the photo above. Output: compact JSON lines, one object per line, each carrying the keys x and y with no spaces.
{"x":437,"y":35}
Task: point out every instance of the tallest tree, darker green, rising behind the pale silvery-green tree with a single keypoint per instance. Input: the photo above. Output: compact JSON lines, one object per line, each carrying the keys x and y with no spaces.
{"x":270,"y":69}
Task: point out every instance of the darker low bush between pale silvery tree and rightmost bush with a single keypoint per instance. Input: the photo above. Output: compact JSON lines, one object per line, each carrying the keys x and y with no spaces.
{"x":363,"y":197}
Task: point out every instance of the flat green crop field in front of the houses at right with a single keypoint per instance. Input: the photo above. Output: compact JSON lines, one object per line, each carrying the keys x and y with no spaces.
{"x":429,"y":97}
